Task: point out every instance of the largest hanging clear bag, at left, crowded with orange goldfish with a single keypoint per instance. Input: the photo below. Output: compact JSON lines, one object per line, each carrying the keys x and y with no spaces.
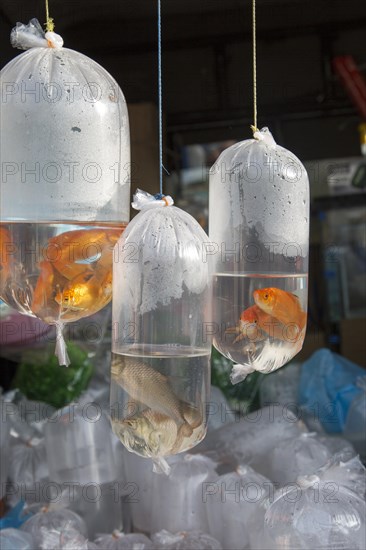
{"x":65,"y":180}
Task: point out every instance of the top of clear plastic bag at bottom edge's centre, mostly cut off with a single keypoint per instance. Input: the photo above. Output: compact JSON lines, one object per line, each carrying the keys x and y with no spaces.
{"x":185,"y":540}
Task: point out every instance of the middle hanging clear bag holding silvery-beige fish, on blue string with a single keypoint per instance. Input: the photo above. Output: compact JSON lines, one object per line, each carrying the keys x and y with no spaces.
{"x":160,"y":346}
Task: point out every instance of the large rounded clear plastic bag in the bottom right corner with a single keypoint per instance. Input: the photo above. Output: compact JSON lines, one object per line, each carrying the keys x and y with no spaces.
{"x":316,"y":514}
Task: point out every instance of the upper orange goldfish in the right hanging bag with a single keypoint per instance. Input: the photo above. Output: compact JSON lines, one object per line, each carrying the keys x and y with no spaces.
{"x":282,"y":305}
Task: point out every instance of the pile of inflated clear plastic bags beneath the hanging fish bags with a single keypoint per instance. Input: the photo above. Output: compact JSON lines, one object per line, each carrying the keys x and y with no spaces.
{"x":261,"y":481}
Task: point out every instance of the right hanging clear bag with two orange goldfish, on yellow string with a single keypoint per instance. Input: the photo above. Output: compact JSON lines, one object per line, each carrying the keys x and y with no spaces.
{"x":259,"y":232}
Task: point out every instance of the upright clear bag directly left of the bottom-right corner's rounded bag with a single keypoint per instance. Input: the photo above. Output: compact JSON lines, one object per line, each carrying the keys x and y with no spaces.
{"x":236,"y":505}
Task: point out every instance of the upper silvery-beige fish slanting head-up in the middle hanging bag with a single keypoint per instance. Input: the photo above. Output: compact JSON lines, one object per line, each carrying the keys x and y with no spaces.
{"x":152,"y":389}
